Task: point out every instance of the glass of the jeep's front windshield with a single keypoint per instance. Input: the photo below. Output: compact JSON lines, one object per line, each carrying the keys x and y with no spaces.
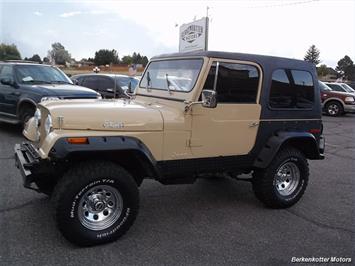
{"x":172,"y":75}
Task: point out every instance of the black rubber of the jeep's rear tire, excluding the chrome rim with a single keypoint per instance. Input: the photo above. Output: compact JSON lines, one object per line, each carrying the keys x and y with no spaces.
{"x":263,"y":179}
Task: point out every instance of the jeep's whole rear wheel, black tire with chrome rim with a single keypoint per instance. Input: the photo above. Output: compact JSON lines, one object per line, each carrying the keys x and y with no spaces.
{"x":284,"y":181}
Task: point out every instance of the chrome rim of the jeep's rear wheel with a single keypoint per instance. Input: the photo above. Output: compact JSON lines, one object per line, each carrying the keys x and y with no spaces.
{"x":287,"y":178}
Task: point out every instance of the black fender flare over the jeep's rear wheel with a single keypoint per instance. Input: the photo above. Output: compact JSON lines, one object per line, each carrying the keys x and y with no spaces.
{"x":304,"y":141}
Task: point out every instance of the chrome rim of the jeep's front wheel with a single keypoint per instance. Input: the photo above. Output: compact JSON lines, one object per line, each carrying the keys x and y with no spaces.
{"x":100,"y":207}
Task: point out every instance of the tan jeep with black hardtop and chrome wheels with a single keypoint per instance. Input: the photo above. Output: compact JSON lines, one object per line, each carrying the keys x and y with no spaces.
{"x":192,"y":115}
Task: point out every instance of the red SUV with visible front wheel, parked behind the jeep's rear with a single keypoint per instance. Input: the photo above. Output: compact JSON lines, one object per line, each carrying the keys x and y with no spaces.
{"x":336,"y":103}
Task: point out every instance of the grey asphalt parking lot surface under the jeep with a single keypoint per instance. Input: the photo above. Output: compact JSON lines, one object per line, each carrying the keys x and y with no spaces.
{"x":207,"y":223}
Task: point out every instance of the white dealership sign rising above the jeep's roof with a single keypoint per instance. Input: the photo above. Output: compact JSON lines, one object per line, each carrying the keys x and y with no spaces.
{"x":194,"y":36}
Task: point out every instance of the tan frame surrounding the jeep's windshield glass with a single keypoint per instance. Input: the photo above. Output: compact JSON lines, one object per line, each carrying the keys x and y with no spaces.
{"x":140,"y":86}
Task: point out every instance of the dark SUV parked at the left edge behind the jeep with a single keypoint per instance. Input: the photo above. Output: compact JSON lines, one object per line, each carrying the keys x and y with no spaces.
{"x":23,"y":85}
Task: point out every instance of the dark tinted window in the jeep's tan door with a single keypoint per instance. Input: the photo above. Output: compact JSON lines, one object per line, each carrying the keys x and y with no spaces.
{"x":236,"y":83}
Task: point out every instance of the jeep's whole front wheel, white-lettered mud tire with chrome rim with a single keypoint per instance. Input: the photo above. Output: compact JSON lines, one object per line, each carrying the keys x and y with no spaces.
{"x":95,"y":203}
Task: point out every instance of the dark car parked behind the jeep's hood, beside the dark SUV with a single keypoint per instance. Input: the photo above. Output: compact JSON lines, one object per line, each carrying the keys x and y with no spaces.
{"x":108,"y":85}
